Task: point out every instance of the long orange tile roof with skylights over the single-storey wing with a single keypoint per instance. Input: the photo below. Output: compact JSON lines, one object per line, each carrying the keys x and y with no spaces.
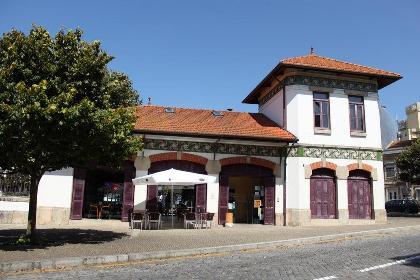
{"x":198,"y":122}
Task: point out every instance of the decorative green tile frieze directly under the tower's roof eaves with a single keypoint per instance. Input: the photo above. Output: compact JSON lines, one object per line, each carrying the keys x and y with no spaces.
{"x":319,"y":82}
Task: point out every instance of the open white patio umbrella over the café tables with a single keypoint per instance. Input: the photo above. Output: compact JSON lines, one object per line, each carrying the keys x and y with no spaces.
{"x":173,"y":177}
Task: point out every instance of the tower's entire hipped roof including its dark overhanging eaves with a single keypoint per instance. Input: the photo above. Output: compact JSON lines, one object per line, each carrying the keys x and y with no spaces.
{"x":316,"y":62}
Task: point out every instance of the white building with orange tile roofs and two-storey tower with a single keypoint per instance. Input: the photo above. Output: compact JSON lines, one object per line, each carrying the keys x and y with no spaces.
{"x":311,"y":155}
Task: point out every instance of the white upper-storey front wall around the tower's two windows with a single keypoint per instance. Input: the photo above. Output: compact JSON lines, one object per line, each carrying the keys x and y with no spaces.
{"x":300,"y":119}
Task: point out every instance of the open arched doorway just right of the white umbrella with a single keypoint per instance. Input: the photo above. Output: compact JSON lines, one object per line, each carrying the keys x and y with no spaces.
{"x":248,"y":191}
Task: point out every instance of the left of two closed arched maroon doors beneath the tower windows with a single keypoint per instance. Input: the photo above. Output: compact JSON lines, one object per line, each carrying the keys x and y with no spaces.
{"x":323,"y":194}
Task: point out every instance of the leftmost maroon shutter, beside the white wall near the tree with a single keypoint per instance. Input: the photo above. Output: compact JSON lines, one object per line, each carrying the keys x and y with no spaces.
{"x":79,"y":178}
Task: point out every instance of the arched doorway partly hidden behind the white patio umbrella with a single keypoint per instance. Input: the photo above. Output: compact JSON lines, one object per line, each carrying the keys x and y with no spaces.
{"x":178,"y":199}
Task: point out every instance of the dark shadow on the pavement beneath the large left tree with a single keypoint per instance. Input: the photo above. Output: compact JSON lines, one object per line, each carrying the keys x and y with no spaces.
{"x":56,"y":237}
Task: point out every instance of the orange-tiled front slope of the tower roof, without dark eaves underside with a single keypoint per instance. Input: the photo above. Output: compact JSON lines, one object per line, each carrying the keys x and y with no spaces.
{"x":319,"y":62}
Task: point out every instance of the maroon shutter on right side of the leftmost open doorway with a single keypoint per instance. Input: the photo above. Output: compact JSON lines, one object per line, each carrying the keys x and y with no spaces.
{"x":128,"y":195}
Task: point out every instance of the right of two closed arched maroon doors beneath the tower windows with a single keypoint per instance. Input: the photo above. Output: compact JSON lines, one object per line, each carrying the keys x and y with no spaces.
{"x":359,"y":194}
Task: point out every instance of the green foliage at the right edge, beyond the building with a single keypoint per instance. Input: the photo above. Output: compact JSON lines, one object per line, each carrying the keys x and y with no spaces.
{"x":408,"y":162}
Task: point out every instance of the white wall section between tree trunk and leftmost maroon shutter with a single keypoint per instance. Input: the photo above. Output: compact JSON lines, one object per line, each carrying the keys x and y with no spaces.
{"x":55,"y":188}
